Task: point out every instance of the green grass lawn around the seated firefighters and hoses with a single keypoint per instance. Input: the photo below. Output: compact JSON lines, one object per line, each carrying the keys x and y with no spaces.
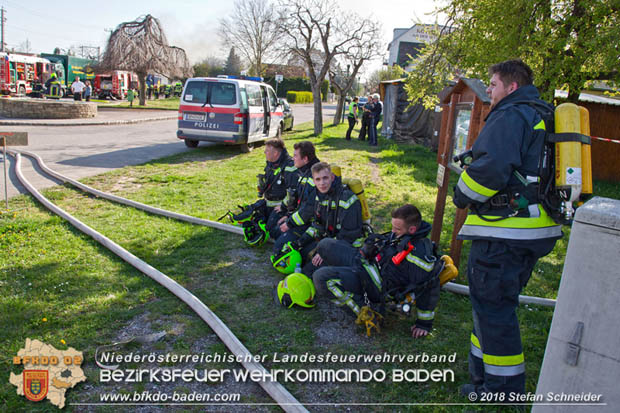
{"x":50,"y":270}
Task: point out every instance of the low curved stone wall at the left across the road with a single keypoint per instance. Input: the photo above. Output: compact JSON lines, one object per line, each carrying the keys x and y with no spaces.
{"x":25,"y":108}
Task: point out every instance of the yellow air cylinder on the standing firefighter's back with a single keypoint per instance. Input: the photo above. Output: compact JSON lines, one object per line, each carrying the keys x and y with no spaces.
{"x":568,"y":156}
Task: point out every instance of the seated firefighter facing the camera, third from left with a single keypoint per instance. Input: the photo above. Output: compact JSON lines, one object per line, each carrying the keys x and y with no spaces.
{"x":337,"y":223}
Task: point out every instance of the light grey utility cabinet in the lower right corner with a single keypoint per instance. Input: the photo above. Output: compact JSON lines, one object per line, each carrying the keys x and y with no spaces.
{"x":586,"y":364}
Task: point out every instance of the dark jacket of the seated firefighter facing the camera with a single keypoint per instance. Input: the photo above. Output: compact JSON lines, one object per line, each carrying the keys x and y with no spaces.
{"x":337,"y":214}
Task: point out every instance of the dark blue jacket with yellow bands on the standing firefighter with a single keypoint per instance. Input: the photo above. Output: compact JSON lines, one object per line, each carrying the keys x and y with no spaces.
{"x":511,"y":140}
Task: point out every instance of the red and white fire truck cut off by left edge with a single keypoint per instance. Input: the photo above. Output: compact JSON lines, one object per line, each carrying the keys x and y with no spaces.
{"x":18,"y":72}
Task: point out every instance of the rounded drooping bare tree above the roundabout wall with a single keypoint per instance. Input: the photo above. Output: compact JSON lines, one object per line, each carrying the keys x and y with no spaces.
{"x":141,"y":46}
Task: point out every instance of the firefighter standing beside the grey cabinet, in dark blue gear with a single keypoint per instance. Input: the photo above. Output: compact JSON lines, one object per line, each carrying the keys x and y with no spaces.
{"x":508,"y":227}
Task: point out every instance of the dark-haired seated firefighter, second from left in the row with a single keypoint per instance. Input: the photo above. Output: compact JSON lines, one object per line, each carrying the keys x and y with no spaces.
{"x":297,"y":209}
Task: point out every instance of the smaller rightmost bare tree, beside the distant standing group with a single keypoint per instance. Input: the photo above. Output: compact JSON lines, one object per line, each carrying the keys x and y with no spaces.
{"x":364,"y":47}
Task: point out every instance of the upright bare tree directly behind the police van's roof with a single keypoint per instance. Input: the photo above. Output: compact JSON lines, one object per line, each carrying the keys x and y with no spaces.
{"x":251,"y":29}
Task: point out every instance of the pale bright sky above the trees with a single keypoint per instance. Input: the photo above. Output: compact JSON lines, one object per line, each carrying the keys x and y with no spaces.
{"x":40,"y":26}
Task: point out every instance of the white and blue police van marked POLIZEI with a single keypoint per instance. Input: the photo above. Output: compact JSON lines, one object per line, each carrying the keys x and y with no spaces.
{"x":229,"y":109}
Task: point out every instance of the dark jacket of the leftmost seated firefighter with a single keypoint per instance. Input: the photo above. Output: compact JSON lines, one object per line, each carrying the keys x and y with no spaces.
{"x":278,"y":176}
